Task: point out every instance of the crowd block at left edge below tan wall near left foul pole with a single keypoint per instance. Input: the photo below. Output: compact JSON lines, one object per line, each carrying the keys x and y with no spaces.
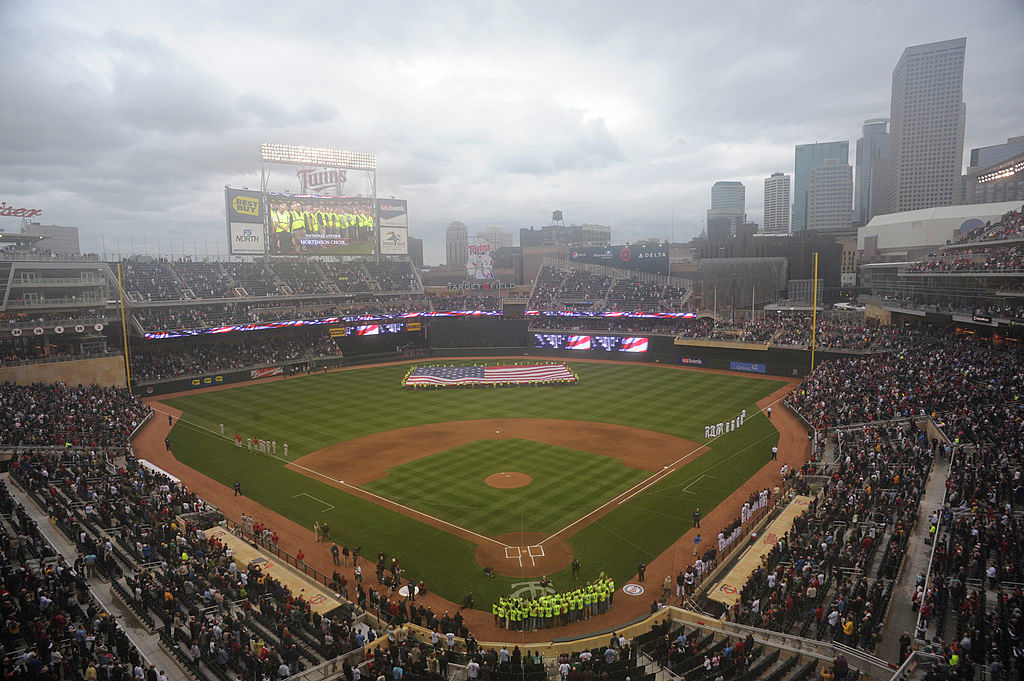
{"x":60,"y":414}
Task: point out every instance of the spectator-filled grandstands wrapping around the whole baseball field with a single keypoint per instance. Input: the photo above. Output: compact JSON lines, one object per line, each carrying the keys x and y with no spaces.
{"x":915,"y":478}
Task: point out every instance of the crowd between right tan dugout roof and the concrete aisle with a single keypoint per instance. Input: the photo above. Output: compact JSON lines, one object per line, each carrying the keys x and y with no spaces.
{"x":817,"y":581}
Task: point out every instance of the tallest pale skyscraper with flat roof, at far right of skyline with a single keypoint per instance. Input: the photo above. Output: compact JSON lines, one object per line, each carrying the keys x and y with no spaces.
{"x":927,"y":114}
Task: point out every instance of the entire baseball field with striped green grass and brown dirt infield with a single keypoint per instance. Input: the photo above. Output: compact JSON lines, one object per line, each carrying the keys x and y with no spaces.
{"x":519,"y":480}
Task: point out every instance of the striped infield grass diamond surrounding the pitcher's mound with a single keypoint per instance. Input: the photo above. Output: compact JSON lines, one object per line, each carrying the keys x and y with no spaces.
{"x":451,"y":486}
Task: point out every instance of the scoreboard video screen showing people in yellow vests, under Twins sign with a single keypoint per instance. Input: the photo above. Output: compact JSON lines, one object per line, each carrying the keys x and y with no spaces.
{"x":321,"y":226}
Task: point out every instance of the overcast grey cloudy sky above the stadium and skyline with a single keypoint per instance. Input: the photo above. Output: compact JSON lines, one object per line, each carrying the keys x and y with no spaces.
{"x":127,"y":119}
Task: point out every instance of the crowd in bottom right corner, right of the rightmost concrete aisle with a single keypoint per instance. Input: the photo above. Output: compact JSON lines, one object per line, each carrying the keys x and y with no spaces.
{"x":973,"y":606}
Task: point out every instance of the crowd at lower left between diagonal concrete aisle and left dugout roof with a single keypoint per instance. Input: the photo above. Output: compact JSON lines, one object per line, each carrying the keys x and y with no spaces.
{"x":161,"y":552}
